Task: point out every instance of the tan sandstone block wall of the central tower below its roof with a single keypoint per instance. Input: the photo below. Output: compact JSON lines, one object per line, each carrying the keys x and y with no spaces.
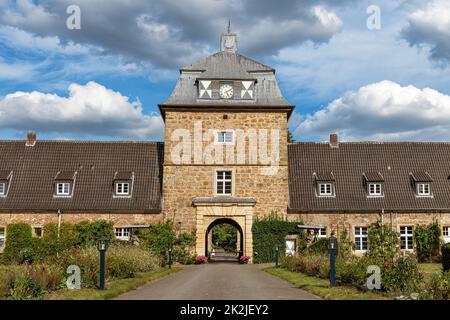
{"x":183,"y":182}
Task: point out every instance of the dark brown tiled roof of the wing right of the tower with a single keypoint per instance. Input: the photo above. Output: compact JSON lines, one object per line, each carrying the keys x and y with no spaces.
{"x":394,"y":161}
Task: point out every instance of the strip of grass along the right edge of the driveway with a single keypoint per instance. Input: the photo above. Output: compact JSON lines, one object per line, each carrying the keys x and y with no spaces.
{"x":321,"y":287}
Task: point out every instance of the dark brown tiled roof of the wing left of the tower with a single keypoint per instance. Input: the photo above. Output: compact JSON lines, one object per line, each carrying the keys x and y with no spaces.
{"x":34,"y":170}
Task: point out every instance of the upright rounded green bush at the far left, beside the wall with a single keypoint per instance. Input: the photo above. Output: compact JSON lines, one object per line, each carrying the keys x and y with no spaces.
{"x":19,"y":243}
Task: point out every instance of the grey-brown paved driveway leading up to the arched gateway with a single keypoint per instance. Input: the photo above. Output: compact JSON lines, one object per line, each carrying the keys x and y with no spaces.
{"x":214,"y":281}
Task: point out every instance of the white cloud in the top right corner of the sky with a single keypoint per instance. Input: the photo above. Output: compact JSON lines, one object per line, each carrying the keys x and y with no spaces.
{"x":430,"y":26}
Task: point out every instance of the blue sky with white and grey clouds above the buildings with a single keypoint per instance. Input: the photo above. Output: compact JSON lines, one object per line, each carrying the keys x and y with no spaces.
{"x":96,"y":70}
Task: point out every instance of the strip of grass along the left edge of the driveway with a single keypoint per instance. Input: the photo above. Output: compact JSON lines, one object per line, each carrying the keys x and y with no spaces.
{"x":113,"y":288}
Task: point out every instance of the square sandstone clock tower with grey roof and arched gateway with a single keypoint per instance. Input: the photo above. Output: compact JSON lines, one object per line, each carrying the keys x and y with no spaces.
{"x":225,"y":147}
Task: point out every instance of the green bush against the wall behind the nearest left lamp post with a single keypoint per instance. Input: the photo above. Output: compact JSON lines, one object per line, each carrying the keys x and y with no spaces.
{"x":89,"y":232}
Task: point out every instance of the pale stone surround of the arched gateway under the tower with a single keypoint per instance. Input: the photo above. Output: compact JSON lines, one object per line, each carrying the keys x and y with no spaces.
{"x":211,"y":210}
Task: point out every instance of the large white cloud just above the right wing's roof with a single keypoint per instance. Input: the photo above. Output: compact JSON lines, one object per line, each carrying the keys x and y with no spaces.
{"x":383,"y":111}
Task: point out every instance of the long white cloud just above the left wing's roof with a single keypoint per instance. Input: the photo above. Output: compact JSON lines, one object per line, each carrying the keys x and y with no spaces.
{"x":89,"y":109}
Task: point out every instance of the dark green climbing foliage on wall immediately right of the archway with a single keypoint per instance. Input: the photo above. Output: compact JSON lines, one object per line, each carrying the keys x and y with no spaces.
{"x":269,"y":232}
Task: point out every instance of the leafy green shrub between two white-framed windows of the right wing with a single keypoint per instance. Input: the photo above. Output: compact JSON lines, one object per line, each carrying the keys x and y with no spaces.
{"x":383,"y":243}
